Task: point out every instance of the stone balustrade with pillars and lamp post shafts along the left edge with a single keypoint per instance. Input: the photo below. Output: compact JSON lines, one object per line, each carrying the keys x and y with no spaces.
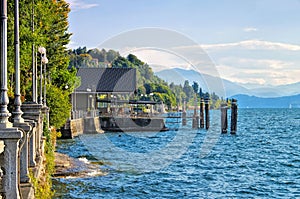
{"x":21,"y":129}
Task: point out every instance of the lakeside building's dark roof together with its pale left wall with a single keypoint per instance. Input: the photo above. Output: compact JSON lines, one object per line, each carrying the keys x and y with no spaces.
{"x":96,"y":81}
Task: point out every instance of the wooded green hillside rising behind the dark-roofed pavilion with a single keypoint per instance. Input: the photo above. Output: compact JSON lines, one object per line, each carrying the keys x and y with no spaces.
{"x":150,"y":86}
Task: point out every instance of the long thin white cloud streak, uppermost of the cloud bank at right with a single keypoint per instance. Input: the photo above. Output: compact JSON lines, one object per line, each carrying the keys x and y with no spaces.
{"x":253,"y":45}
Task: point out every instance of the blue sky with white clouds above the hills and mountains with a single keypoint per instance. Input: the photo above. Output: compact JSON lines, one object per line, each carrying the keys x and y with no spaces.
{"x":251,"y":42}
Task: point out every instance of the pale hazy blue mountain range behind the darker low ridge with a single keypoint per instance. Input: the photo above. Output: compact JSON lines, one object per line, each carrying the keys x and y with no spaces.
{"x":212,"y":84}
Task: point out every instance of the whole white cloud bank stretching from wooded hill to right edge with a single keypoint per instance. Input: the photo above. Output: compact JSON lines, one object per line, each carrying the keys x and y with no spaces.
{"x":250,"y":61}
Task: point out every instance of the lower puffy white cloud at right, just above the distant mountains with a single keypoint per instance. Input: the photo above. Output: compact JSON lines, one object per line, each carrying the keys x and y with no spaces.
{"x":264,"y":72}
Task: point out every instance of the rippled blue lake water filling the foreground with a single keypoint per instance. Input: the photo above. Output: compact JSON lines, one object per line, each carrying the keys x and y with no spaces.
{"x":261,"y":161}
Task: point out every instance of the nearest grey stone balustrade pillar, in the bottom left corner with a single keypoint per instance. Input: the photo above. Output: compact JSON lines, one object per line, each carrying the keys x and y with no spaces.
{"x":10,"y":168}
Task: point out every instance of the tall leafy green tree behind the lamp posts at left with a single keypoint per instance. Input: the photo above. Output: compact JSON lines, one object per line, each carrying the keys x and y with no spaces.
{"x":50,"y":31}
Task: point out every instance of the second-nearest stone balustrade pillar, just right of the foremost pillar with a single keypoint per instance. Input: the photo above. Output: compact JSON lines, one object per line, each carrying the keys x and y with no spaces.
{"x":24,"y":158}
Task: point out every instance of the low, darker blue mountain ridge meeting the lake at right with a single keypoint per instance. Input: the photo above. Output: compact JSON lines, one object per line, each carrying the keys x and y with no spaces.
{"x":245,"y":101}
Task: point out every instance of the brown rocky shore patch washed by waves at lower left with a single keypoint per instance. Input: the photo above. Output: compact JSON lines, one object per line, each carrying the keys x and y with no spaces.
{"x":66,"y":167}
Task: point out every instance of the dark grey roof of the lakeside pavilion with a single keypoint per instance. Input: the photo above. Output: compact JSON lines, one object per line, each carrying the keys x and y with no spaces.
{"x":107,"y":80}
